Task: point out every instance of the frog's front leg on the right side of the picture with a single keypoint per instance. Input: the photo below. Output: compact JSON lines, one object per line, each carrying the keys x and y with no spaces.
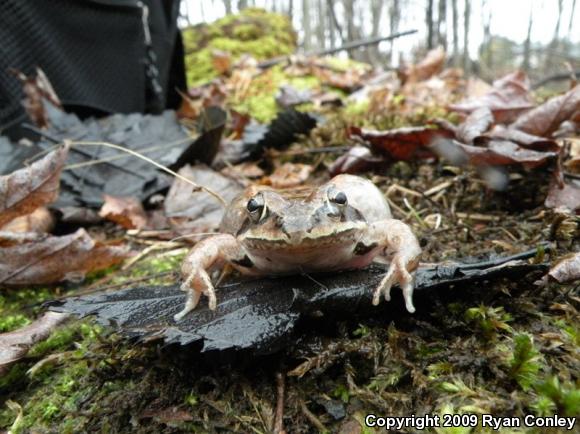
{"x":396,"y":237}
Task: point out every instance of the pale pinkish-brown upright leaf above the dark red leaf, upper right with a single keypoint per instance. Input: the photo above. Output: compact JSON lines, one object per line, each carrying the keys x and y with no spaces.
{"x":508,"y":98}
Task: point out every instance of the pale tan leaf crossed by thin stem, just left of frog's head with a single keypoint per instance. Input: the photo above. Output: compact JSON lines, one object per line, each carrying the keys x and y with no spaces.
{"x":190,"y":212}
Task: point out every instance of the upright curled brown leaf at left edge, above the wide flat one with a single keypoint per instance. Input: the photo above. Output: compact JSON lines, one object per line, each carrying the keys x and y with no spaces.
{"x":23,"y":191}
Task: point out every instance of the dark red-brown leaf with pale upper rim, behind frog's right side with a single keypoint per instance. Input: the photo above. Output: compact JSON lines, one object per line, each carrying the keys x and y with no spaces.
{"x":402,"y":143}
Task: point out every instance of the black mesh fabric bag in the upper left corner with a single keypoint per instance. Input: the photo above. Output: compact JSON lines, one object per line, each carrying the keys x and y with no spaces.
{"x":92,"y":51}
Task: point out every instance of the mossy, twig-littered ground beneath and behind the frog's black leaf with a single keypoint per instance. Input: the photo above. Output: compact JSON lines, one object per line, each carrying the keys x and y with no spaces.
{"x":506,"y":348}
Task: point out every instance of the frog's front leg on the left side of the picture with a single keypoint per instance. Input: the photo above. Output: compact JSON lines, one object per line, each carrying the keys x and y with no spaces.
{"x":205,"y":255}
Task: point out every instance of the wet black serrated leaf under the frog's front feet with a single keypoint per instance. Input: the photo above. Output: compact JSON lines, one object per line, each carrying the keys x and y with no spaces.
{"x":261,"y":315}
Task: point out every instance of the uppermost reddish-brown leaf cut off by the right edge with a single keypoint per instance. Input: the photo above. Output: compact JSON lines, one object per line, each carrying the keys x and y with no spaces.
{"x":546,"y":118}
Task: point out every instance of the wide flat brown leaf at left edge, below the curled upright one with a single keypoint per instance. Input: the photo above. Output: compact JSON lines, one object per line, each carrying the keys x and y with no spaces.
{"x":41,"y":259}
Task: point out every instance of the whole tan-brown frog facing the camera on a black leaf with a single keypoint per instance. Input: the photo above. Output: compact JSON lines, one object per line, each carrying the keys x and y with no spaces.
{"x":343,"y":224}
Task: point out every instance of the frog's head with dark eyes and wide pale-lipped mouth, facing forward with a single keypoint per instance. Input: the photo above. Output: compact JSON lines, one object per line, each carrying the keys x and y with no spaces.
{"x":300,"y":218}
